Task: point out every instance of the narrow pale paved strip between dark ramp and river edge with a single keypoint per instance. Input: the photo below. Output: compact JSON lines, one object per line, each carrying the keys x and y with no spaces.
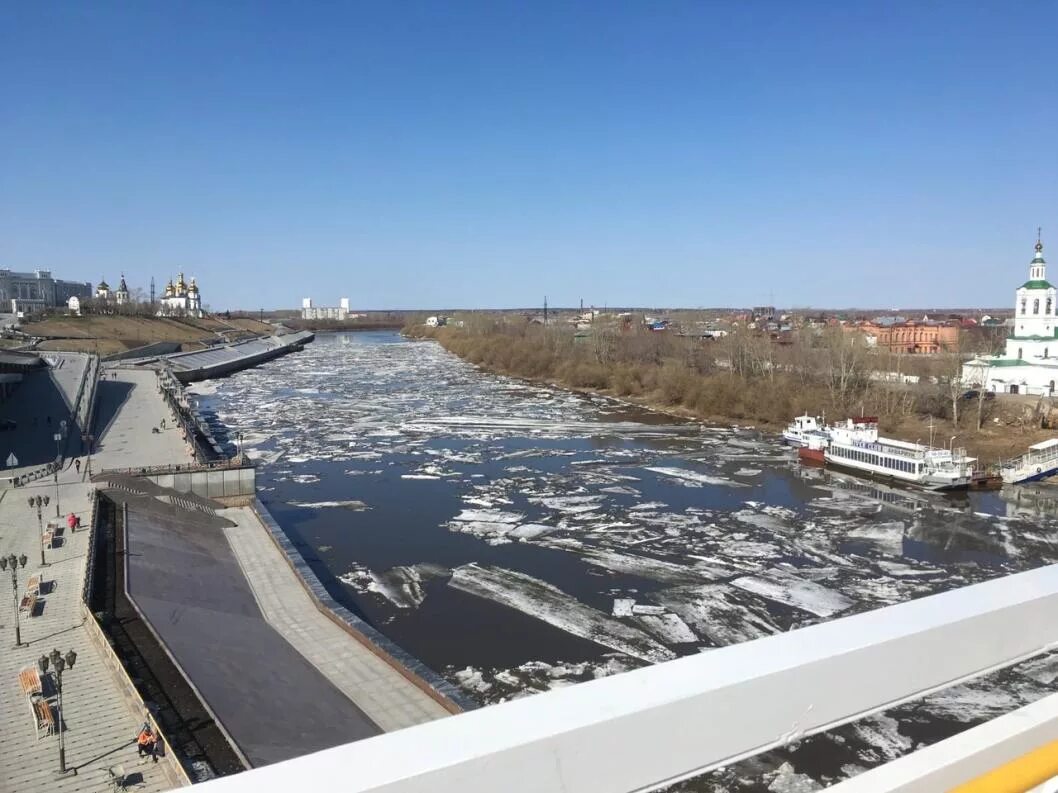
{"x":382,"y":693}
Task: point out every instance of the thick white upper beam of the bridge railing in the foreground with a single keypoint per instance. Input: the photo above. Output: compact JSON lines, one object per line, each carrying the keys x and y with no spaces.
{"x":645,"y":729}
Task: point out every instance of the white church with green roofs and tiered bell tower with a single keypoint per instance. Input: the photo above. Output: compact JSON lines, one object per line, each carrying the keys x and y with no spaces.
{"x":1030,"y":364}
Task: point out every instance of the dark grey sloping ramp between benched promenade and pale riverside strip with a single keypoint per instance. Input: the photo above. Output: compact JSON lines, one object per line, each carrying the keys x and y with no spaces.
{"x":188,"y":584}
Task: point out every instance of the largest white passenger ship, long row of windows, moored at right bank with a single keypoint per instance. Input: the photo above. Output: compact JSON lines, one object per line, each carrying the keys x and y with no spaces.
{"x":855,"y":446}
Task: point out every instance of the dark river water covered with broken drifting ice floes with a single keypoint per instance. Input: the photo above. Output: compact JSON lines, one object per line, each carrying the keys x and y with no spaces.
{"x":489,"y":527}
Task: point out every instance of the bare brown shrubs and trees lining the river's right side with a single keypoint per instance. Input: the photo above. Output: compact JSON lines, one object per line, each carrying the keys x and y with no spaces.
{"x":747,"y":379}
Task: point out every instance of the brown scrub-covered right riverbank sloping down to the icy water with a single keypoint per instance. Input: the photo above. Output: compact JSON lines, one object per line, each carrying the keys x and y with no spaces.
{"x":673,"y":386}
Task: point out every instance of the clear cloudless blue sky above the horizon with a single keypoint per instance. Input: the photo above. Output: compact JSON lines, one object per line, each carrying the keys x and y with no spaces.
{"x":487,"y":154}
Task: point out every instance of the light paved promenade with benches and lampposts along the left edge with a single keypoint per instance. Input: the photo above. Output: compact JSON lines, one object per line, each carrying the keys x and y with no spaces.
{"x":101,"y":729}
